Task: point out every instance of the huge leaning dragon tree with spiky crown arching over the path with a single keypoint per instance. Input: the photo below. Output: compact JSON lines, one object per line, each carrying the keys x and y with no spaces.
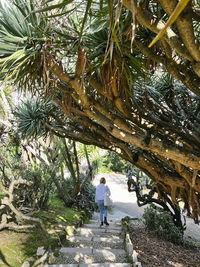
{"x":95,"y":75}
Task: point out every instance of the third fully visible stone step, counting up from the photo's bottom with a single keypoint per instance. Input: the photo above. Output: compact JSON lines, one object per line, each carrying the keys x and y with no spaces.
{"x":101,"y":231}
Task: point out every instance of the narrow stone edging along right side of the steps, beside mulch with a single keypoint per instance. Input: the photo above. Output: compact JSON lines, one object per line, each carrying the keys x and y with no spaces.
{"x":131,"y":253}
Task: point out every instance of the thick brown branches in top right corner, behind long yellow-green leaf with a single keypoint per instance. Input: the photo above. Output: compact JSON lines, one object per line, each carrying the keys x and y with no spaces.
{"x":178,"y":50}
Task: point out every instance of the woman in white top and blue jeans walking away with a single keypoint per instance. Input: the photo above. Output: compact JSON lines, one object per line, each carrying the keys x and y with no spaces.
{"x":101,"y":191}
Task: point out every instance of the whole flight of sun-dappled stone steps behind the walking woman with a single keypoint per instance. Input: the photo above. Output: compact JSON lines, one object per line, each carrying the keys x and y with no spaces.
{"x":94,"y":246}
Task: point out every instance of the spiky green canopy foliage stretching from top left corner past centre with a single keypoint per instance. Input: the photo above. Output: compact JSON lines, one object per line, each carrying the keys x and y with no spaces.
{"x":33,"y":33}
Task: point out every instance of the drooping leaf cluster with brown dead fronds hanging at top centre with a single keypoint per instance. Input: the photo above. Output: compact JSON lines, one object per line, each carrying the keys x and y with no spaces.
{"x":109,"y":51}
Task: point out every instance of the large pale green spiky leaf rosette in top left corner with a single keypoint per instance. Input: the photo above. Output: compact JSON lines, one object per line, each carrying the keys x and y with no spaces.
{"x":22,"y":36}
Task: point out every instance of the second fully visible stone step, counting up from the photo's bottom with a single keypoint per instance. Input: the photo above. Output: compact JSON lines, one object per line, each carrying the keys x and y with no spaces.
{"x":95,"y":242}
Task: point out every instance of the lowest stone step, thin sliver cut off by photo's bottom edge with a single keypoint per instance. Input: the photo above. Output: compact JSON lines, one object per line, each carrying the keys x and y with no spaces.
{"x":91,"y":265}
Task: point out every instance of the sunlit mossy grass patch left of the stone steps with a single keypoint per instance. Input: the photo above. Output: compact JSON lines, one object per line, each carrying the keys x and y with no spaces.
{"x":15,"y":248}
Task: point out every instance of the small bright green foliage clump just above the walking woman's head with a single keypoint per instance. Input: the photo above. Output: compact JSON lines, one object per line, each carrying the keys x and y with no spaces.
{"x":114,"y":162}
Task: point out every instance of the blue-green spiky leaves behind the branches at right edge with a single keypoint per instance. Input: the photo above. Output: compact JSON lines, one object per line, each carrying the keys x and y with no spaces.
{"x":166,"y":92}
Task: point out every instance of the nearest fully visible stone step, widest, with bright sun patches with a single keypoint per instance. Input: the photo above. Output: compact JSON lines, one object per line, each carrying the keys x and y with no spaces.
{"x":90,"y":255}
